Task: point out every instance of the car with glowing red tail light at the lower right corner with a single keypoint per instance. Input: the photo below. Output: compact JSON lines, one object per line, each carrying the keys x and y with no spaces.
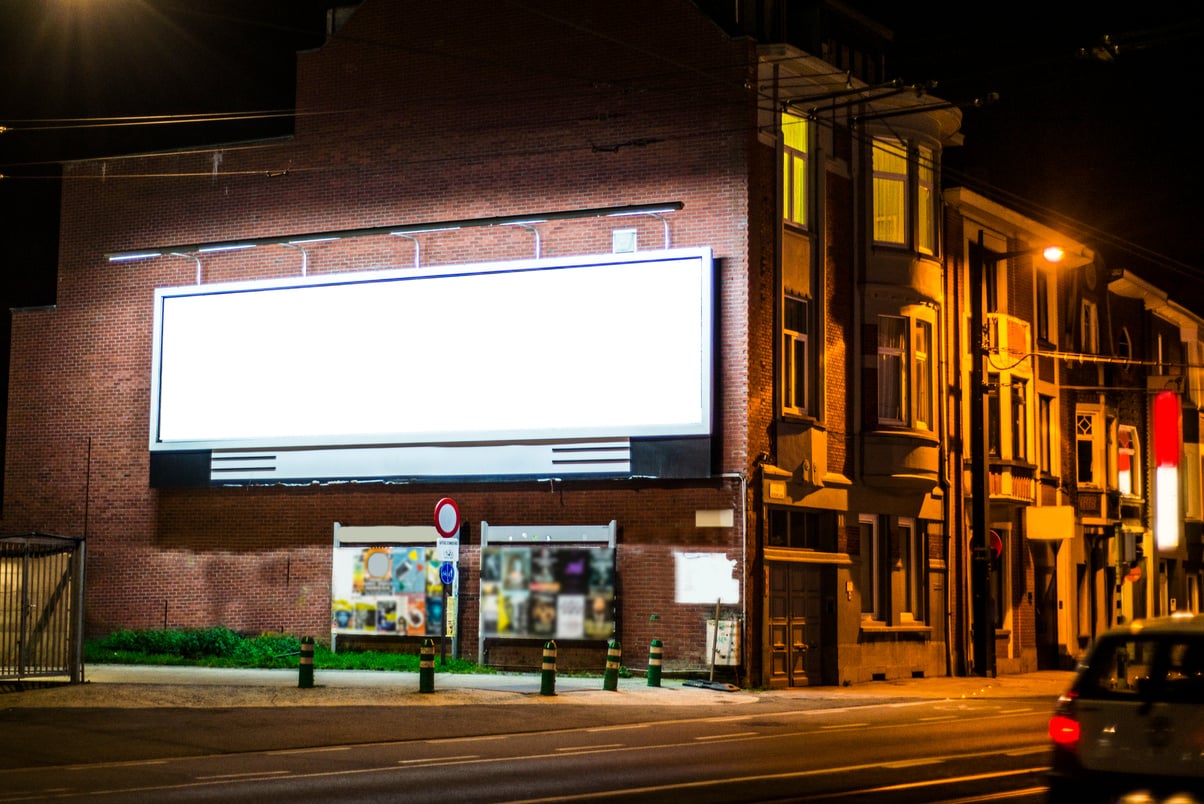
{"x":1132,"y":723}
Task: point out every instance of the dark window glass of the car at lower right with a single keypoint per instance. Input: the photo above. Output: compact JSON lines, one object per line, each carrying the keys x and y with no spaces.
{"x":1148,"y":666}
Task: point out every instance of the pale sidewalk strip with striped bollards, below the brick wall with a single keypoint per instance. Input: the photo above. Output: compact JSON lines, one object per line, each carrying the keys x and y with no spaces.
{"x":152,"y":687}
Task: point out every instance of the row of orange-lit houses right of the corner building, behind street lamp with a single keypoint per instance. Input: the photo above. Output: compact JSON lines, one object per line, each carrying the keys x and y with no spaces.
{"x":1081,"y":357}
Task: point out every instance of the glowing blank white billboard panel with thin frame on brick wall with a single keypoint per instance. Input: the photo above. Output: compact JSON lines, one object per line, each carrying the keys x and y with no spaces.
{"x":583,"y":347}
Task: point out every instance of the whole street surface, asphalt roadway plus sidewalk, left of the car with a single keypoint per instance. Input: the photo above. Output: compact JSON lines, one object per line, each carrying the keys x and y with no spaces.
{"x":500,"y":740}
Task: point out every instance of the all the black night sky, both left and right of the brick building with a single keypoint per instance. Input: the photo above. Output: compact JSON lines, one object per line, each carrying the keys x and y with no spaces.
{"x":1088,"y":134}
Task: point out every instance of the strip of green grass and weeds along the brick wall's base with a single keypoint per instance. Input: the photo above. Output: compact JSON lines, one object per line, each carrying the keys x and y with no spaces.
{"x":223,"y":648}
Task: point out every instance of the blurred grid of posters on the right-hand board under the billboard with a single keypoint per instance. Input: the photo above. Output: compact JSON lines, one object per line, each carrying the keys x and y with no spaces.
{"x":547,"y":592}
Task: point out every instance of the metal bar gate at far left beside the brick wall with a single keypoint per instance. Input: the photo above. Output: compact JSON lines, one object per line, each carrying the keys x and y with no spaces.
{"x":42,"y":607}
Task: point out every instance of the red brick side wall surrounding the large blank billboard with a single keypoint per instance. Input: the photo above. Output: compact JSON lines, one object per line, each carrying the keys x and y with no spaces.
{"x":403,"y":121}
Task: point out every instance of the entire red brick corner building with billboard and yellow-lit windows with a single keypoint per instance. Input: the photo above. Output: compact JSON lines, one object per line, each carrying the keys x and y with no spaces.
{"x":751,"y":228}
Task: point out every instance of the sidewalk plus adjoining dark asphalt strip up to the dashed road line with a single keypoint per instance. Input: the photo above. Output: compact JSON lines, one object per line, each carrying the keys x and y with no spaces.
{"x":123,"y":714}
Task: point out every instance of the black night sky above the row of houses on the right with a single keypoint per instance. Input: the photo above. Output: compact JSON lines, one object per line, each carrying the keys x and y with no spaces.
{"x":1093,"y":129}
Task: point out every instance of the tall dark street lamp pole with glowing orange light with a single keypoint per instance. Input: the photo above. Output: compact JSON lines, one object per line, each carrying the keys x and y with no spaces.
{"x":982,"y":604}
